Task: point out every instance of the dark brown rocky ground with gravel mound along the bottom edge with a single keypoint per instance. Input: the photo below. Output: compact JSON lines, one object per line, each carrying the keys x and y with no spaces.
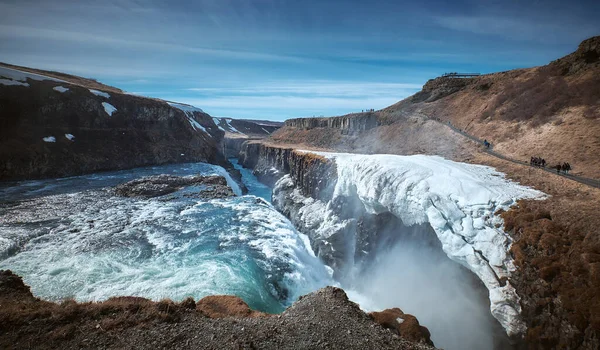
{"x":323,"y":319}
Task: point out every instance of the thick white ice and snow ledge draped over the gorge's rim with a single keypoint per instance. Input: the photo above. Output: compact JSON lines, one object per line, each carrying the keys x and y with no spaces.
{"x":458,"y":200}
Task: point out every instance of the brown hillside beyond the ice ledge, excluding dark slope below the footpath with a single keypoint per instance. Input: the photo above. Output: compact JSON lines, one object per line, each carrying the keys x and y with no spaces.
{"x":551,"y":111}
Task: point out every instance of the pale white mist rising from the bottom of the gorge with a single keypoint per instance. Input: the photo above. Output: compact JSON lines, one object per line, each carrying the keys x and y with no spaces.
{"x":415,"y":275}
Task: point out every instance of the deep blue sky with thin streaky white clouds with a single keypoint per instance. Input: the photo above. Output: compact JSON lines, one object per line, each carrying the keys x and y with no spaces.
{"x":280,"y":59}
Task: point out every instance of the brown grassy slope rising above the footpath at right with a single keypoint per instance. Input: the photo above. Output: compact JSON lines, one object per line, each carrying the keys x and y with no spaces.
{"x":551,"y":111}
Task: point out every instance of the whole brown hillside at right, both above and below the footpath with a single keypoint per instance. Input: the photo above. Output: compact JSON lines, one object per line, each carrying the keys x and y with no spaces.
{"x":552,"y":112}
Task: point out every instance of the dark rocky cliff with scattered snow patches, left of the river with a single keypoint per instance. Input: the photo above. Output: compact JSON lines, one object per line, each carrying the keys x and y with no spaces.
{"x":51,"y":127}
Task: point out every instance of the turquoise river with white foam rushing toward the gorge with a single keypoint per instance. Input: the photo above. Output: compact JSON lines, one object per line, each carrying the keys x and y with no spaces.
{"x":71,"y":238}
